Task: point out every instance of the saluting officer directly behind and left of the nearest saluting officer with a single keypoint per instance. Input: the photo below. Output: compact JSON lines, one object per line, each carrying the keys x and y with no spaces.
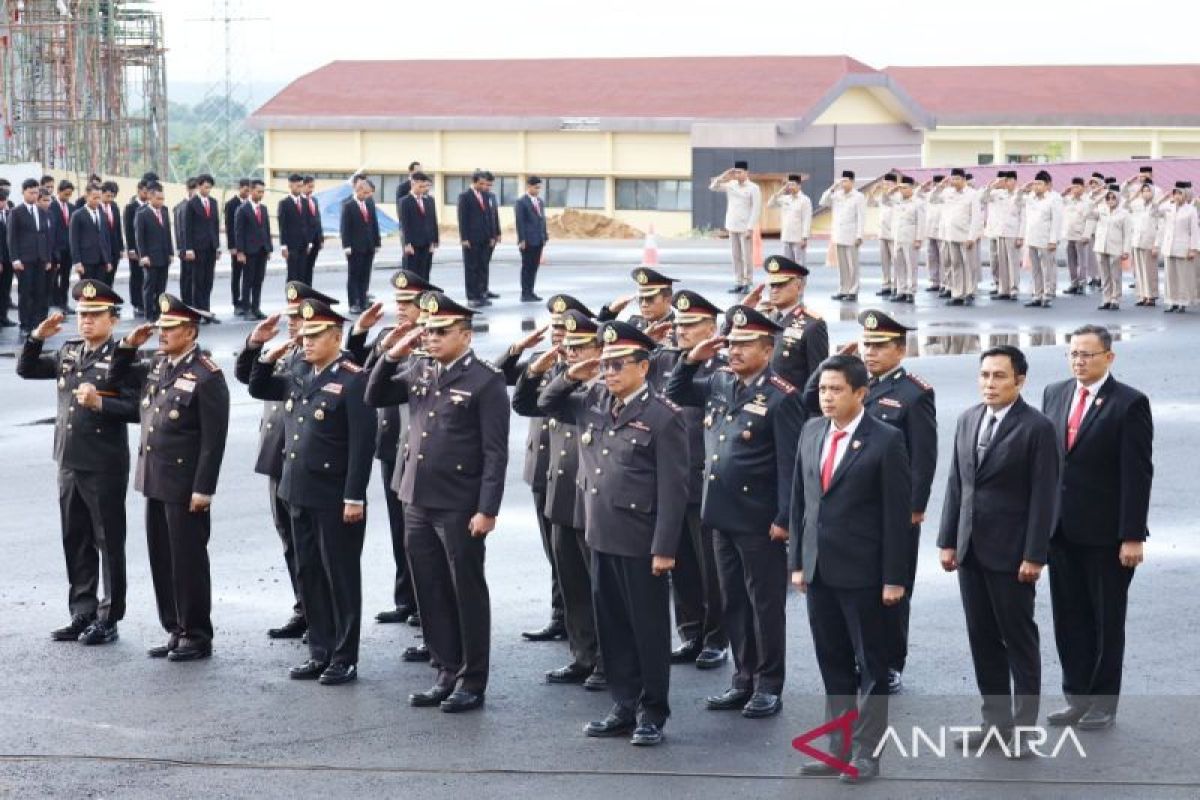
{"x":580,"y":340}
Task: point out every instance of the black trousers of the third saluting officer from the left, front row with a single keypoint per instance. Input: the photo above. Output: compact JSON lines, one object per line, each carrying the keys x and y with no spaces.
{"x":329,"y":570}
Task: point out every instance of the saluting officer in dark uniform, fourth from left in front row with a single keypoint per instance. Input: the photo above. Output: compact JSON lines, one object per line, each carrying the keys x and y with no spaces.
{"x":452,"y":488}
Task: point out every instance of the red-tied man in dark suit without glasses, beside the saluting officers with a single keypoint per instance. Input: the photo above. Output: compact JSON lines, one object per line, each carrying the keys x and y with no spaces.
{"x":850,"y":519}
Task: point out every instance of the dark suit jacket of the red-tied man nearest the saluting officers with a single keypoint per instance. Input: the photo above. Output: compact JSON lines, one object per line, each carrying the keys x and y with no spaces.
{"x":857,"y":534}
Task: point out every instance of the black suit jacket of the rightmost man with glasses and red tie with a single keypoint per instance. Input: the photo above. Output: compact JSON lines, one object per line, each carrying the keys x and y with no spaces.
{"x":1107,"y":476}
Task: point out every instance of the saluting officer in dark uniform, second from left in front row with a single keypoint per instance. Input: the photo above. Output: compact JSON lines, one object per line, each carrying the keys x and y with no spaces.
{"x":185,"y":417}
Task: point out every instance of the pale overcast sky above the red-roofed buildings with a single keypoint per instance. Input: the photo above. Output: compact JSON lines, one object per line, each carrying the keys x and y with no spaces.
{"x":297,"y":37}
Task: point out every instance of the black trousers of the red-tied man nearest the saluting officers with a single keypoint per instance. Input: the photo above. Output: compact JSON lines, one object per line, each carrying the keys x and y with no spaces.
{"x":848,"y":630}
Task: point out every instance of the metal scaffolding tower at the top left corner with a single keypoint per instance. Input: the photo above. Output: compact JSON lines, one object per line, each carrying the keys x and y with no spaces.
{"x":83,"y":86}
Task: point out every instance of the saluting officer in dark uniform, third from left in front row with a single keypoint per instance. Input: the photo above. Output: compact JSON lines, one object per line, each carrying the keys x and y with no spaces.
{"x":329,"y":435}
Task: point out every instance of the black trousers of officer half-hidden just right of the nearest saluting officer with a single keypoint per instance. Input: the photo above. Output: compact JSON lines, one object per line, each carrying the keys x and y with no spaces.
{"x":697,"y":586}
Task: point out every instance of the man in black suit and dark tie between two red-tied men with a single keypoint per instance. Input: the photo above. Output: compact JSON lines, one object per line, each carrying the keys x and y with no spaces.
{"x":998,"y":516}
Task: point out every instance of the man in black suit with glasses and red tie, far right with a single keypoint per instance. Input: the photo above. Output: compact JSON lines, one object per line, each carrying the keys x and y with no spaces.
{"x":1107,"y":434}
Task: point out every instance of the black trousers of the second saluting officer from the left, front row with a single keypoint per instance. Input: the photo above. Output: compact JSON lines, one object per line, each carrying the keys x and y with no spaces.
{"x":178,"y":542}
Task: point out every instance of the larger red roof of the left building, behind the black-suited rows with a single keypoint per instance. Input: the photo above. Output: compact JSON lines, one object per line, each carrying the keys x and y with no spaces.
{"x":692,"y":88}
